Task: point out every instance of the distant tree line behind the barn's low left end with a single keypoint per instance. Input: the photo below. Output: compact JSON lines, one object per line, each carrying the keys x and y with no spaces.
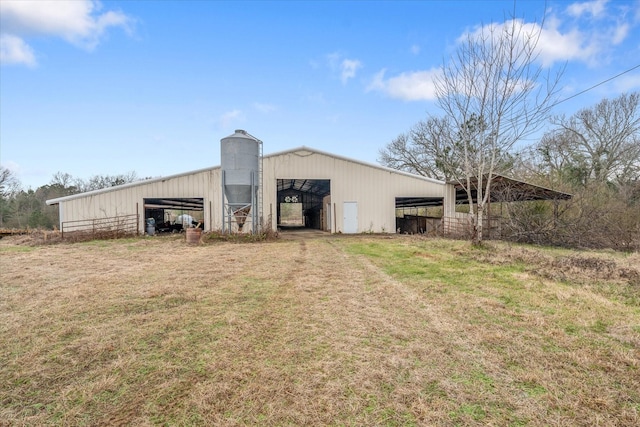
{"x":20,"y":208}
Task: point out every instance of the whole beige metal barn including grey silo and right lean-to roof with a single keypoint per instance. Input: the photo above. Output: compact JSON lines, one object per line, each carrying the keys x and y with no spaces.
{"x":302,"y":187}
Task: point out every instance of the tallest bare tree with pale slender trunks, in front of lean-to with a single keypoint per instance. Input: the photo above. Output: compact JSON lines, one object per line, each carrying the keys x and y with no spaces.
{"x":495,"y":94}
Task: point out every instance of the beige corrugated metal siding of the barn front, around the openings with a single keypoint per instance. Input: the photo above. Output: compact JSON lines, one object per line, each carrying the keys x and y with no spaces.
{"x":373,"y":188}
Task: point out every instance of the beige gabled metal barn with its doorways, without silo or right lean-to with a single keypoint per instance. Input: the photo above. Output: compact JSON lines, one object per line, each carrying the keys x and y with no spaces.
{"x":301,"y":186}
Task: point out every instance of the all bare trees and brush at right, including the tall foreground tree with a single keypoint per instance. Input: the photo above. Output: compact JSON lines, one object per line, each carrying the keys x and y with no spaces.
{"x":493,"y":93}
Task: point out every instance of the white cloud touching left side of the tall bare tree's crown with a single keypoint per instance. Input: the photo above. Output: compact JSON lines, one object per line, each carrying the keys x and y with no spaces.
{"x":412,"y":86}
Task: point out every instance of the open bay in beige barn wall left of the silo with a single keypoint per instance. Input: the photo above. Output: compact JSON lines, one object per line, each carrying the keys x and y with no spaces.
{"x":172,"y":215}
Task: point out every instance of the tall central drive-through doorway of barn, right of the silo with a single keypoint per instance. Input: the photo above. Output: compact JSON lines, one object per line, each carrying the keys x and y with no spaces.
{"x":304,"y":203}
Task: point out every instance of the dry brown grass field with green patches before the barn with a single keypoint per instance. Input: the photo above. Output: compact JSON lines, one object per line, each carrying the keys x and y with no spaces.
{"x":335,"y":331}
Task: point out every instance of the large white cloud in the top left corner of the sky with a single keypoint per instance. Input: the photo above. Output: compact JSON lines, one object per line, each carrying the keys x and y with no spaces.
{"x":79,"y":22}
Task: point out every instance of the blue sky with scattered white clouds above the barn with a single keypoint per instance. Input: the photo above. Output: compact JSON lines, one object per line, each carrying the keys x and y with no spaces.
{"x":109,"y":87}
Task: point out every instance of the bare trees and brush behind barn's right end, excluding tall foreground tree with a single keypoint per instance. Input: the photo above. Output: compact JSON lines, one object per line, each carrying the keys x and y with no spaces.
{"x":593,"y":154}
